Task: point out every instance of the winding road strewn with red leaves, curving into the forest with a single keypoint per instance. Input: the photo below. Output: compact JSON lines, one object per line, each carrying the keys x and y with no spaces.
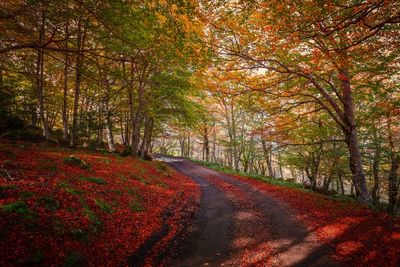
{"x":238,"y":225}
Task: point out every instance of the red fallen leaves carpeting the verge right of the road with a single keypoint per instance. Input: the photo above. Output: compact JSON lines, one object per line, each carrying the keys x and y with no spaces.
{"x":359,"y":235}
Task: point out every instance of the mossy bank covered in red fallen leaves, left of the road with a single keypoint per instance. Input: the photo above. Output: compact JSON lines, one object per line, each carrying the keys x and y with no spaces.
{"x":87,"y":211}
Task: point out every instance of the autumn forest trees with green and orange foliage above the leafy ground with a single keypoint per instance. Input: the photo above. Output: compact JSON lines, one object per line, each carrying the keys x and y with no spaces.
{"x":298,"y":92}
